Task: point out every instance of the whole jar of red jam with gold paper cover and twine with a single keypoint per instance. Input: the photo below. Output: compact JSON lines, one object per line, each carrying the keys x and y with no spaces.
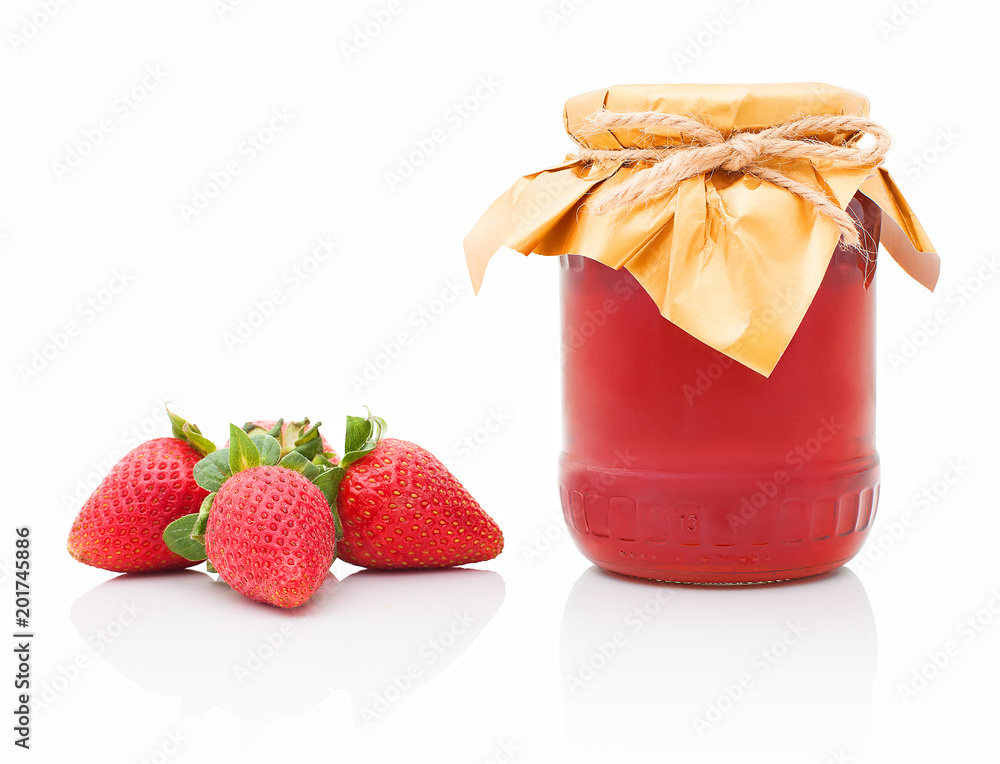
{"x":718,"y":341}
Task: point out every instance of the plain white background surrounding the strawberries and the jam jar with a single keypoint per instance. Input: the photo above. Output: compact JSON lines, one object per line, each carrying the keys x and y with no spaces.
{"x":132,"y":669}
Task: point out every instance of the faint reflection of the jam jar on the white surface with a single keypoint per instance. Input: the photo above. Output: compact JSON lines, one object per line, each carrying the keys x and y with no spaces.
{"x":770,"y":674}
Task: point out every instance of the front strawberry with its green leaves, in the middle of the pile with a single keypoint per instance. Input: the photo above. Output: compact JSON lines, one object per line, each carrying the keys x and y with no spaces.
{"x":267,"y":527}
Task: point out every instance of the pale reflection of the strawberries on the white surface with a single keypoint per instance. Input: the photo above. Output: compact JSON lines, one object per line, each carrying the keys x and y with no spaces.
{"x":197,"y":639}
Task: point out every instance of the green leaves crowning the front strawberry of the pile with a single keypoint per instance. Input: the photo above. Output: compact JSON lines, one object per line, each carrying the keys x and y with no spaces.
{"x":186,"y":535}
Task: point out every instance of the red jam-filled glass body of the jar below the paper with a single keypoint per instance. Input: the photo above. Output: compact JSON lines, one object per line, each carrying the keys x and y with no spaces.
{"x":682,"y":464}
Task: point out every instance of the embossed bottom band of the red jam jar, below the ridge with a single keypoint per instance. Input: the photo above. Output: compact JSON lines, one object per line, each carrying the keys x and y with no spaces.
{"x":725,"y":528}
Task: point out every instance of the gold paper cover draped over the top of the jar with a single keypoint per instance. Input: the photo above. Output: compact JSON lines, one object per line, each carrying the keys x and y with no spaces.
{"x":720,"y":249}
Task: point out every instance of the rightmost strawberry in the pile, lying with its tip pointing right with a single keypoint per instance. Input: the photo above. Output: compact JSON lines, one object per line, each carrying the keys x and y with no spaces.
{"x":402,"y":508}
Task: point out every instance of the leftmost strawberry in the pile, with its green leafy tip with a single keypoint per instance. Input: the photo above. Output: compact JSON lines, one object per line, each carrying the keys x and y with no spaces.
{"x":120,"y":527}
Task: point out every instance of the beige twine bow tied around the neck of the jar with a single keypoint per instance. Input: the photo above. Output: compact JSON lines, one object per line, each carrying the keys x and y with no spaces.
{"x":704,"y":149}
